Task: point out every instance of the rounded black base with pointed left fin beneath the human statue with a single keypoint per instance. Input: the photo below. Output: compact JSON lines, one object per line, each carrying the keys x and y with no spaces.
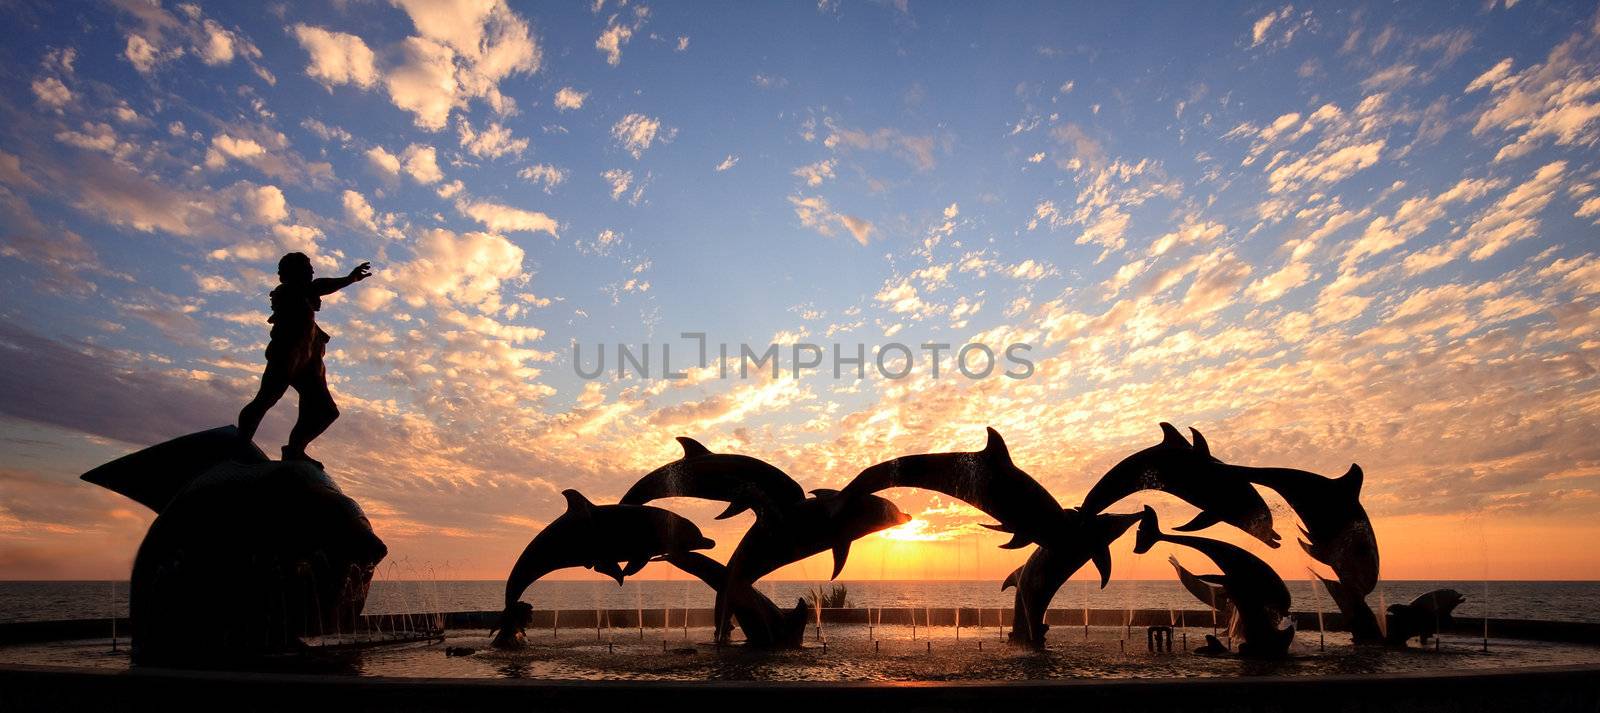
{"x":247,"y":557}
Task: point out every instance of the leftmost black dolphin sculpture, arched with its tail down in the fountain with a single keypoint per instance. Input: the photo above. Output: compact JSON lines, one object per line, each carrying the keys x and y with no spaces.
{"x":596,"y":538}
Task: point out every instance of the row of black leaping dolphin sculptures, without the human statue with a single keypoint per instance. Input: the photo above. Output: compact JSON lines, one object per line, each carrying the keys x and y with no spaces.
{"x":791,"y":527}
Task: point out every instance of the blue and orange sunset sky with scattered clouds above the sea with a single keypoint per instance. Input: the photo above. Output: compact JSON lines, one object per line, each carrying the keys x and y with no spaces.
{"x":1319,"y":234}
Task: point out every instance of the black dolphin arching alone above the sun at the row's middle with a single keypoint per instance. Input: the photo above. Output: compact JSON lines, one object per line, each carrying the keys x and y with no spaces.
{"x":986,"y":480}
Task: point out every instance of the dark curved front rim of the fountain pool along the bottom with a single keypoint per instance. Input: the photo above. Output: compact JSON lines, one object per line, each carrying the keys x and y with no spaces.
{"x":1553,"y":690}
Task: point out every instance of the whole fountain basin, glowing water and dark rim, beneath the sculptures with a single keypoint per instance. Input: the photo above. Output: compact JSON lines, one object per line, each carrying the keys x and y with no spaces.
{"x":852,"y":666}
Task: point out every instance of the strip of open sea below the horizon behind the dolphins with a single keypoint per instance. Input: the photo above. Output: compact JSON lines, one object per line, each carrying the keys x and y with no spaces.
{"x":1567,"y":602}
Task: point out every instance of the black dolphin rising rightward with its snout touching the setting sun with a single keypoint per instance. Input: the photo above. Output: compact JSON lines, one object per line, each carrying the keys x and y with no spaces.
{"x":826,"y":522}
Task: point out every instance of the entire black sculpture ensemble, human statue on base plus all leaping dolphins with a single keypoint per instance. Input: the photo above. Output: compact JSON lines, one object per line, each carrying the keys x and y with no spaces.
{"x":247,"y":556}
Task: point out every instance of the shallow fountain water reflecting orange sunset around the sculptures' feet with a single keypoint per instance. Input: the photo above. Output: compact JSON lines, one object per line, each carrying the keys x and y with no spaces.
{"x":854,"y":656}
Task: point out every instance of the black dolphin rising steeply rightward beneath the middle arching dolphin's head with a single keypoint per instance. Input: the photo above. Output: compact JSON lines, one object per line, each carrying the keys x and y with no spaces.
{"x":1049,"y":568}
